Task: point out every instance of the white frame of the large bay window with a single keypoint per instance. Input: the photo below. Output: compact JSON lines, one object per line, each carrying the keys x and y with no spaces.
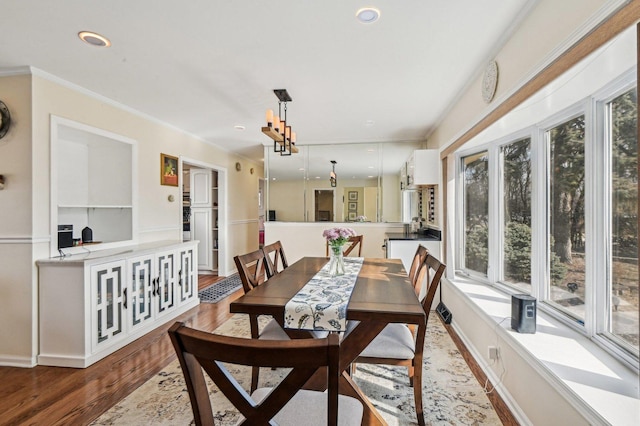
{"x":597,"y":214}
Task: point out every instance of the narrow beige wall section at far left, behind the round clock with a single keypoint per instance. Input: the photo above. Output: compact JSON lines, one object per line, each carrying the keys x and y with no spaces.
{"x":17,"y":279}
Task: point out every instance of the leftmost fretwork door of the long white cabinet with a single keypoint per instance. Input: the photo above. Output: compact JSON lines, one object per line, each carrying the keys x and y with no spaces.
{"x":108,"y":295}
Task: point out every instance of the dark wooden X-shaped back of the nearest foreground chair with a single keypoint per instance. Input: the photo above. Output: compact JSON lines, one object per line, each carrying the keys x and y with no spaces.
{"x":198,"y":350}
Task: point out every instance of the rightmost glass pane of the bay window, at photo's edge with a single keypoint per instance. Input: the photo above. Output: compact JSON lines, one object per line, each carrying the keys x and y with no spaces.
{"x":622,"y":290}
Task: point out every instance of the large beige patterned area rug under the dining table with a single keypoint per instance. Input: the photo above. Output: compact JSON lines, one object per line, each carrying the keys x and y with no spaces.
{"x":451,"y":394}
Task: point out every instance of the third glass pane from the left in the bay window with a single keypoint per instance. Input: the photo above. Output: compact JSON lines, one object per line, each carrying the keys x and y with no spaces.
{"x":565,"y":209}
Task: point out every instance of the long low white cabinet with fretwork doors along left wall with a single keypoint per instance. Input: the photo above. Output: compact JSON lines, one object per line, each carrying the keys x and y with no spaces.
{"x":92,"y":306}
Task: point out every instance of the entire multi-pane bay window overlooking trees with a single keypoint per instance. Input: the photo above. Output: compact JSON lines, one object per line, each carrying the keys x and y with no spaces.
{"x":564,"y":199}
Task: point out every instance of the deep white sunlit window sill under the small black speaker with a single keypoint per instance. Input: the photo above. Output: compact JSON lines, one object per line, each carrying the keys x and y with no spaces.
{"x":597,"y":384}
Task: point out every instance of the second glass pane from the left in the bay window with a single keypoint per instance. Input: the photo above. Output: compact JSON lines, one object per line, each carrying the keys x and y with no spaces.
{"x":516,"y":212}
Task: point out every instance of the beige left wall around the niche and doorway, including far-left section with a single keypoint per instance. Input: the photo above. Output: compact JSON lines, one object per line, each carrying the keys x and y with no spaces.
{"x":25,"y":203}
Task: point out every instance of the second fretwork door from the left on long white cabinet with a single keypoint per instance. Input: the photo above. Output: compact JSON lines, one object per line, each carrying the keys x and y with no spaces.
{"x":140,"y":290}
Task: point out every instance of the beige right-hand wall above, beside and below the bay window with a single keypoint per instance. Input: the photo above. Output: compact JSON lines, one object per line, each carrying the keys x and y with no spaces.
{"x":536,"y":42}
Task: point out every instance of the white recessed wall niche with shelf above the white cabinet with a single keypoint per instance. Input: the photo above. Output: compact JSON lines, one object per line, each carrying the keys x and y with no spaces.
{"x":92,"y":186}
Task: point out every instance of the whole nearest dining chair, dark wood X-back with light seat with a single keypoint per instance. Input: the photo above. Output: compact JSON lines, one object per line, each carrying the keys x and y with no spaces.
{"x":284,"y":404}
